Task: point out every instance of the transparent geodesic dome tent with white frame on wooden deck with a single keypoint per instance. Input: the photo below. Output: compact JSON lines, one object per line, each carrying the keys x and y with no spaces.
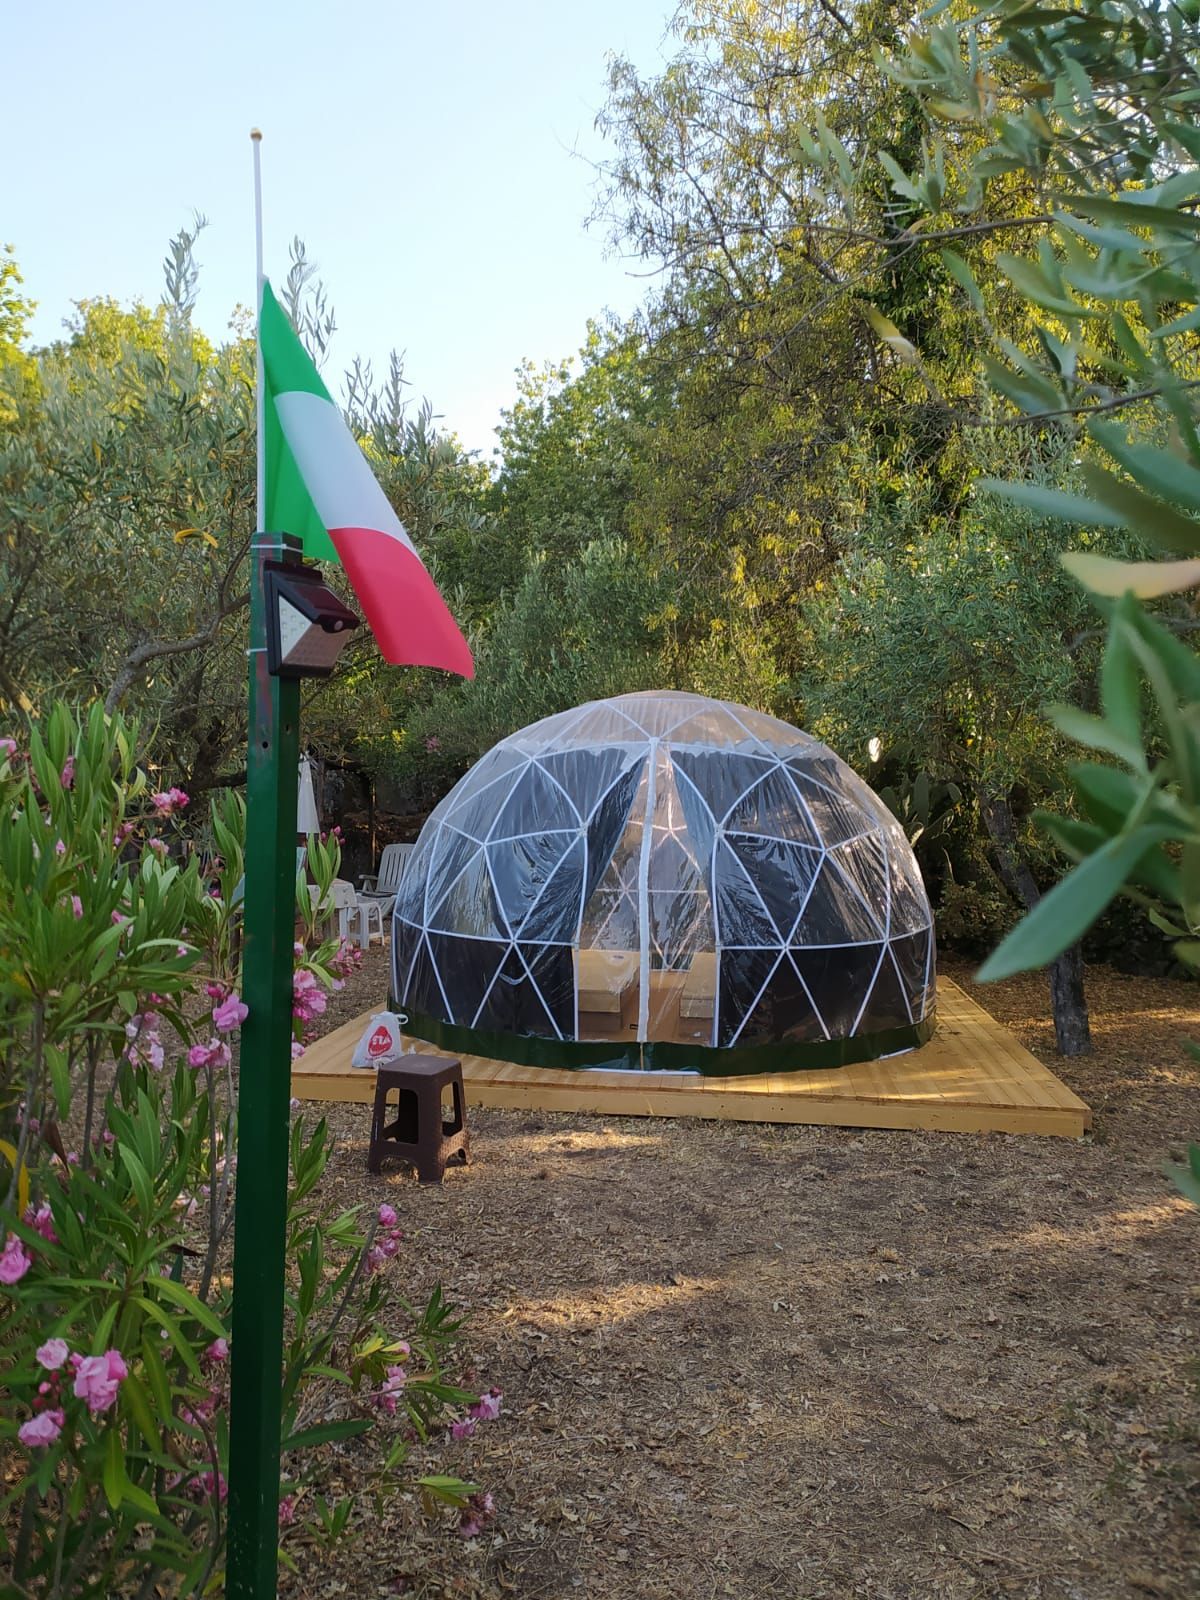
{"x":665,"y":881}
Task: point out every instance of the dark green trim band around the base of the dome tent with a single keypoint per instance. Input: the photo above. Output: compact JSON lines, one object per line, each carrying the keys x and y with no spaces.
{"x":574,"y":1055}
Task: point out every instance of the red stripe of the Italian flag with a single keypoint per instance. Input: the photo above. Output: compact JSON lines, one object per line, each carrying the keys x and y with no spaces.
{"x":406,"y":612}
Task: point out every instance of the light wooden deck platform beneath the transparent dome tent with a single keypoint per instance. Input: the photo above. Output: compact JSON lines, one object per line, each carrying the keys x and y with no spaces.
{"x":972,"y":1078}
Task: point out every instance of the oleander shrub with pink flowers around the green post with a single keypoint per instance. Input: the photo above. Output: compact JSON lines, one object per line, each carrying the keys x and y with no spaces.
{"x":119,"y":1010}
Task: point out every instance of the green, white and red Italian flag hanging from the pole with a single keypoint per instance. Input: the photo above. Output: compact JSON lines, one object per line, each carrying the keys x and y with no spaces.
{"x":322,"y":490}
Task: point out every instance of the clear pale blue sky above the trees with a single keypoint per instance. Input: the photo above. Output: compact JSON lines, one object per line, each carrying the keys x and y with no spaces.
{"x":425,"y":153}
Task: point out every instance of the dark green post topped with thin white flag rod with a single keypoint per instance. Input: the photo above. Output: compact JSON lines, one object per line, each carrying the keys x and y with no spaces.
{"x":265,"y":1081}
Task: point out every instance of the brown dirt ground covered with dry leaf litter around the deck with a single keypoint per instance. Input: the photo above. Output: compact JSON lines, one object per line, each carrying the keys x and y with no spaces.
{"x":809,"y":1362}
